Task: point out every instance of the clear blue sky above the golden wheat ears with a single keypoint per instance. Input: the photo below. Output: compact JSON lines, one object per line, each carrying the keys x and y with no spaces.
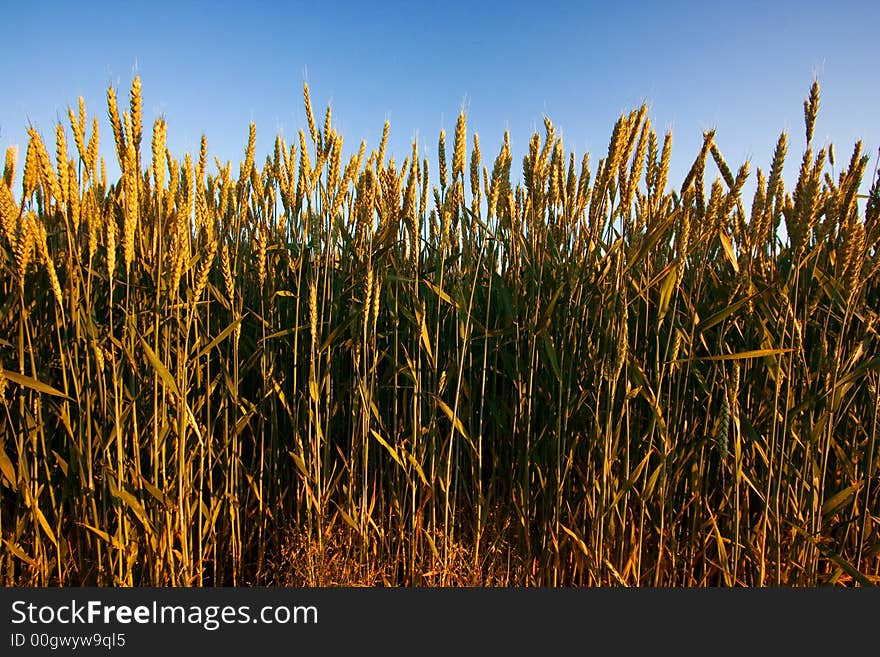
{"x":741,"y":67}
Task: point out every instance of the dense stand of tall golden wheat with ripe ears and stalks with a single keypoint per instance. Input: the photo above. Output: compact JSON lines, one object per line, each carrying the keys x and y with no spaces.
{"x":320,"y":370}
